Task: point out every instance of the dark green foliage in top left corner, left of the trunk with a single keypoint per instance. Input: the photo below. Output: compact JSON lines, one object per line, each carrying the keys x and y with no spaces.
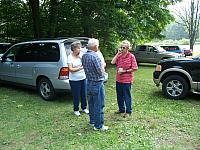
{"x":15,"y":20}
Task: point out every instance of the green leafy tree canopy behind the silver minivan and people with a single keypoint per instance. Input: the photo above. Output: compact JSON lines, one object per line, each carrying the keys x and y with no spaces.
{"x":107,"y":20}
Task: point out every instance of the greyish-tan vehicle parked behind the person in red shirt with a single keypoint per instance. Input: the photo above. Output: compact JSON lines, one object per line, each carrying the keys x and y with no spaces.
{"x":152,"y":54}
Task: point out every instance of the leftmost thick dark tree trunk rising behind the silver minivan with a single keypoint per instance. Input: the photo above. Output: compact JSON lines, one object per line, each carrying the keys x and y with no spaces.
{"x":34,"y":6}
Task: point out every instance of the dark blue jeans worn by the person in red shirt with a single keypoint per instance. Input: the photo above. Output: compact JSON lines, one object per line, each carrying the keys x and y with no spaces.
{"x":124,"y":96}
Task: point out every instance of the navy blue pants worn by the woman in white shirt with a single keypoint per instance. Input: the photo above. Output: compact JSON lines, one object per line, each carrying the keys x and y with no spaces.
{"x":78,"y":89}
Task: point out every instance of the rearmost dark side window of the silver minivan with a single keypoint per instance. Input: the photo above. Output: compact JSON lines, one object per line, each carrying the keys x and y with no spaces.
{"x":47,"y":52}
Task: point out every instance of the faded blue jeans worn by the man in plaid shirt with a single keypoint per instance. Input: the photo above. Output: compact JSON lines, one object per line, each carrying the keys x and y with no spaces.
{"x":96,"y":98}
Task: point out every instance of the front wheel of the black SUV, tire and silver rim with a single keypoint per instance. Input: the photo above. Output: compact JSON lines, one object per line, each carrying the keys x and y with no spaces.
{"x":175,"y":87}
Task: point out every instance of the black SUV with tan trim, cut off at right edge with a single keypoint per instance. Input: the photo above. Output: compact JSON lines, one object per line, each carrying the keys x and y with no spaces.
{"x":178,"y":76}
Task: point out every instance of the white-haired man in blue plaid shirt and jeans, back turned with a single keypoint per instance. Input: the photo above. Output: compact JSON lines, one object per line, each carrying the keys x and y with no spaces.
{"x":95,"y":88}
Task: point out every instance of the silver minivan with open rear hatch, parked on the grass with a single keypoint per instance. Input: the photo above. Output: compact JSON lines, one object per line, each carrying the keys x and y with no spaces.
{"x":40,"y":64}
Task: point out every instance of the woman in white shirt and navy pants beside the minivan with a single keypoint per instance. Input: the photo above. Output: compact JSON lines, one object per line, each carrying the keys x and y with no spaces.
{"x":77,"y":78}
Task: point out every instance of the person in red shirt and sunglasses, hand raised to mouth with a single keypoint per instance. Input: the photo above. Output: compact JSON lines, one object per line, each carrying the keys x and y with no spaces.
{"x":126,"y":64}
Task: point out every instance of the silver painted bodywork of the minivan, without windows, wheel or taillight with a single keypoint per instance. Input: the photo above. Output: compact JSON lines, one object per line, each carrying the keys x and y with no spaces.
{"x":28,"y":72}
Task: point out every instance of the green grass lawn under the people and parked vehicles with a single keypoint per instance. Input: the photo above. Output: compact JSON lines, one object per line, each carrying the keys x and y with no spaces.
{"x":29,"y":123}
